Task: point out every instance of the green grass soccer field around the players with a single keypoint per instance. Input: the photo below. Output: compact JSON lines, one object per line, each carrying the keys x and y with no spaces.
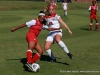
{"x":83,"y":44}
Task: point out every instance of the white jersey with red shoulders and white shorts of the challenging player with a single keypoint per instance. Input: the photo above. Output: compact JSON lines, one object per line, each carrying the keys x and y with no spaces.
{"x":53,"y":22}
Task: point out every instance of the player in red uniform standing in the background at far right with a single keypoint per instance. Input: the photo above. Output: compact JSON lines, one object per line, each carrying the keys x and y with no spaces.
{"x":93,"y":10}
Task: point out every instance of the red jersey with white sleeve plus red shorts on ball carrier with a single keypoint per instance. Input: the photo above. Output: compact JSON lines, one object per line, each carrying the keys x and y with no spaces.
{"x":35,"y":28}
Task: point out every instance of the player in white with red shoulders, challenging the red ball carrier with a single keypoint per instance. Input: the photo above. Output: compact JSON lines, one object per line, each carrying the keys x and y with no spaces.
{"x":53,"y":21}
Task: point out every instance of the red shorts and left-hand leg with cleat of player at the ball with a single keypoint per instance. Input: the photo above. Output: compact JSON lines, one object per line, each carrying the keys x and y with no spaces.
{"x":32,"y":42}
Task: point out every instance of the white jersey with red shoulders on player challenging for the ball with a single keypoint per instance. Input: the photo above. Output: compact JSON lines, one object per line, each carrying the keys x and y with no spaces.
{"x":53,"y":22}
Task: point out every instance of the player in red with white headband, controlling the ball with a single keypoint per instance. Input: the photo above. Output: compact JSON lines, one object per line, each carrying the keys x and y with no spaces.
{"x":31,"y":37}
